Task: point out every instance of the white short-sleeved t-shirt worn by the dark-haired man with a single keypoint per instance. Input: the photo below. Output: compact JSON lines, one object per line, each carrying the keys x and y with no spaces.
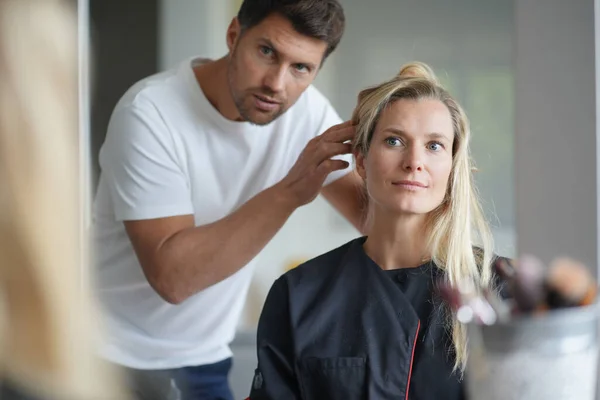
{"x":169,"y":152}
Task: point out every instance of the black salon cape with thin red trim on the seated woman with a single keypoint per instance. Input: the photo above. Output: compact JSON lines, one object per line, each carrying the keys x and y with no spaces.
{"x":340,"y":327}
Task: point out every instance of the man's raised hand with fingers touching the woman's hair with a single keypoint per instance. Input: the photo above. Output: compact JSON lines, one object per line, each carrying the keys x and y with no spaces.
{"x":305,"y":180}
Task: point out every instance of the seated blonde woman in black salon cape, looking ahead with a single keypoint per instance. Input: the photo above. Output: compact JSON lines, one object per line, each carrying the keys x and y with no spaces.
{"x":364,"y":321}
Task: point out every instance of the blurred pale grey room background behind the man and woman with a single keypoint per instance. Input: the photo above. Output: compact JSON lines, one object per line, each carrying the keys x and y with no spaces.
{"x":525,"y":66}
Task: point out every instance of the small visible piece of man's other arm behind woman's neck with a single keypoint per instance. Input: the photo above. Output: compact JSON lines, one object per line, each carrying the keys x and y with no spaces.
{"x":347,"y":195}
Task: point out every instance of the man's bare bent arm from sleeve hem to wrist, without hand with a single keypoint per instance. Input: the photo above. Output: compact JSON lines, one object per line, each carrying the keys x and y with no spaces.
{"x":180,"y":259}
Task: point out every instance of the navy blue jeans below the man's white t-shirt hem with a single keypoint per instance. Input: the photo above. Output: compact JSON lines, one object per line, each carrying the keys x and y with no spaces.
{"x":204,"y":382}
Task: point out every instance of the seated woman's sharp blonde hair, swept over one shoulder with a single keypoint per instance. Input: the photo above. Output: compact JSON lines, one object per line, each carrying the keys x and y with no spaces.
{"x":455,"y":224}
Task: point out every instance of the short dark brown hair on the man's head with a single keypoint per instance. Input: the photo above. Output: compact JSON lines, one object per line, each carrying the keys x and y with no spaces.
{"x":320,"y":19}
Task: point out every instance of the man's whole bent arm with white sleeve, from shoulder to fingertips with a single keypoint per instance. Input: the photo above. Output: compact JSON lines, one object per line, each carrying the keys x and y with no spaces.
{"x":178,"y":258}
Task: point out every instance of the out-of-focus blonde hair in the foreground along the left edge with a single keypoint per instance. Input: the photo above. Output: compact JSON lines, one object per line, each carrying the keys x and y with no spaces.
{"x":48,"y":332}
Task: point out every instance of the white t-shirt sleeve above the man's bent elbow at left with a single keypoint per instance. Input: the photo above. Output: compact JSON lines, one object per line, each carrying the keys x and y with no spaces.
{"x":141,"y":169}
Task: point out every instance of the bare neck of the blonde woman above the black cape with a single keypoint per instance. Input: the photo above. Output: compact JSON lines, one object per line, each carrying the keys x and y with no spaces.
{"x":397,"y":241}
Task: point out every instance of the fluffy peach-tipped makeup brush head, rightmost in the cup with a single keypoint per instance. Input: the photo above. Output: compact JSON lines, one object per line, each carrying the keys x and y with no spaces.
{"x":569,"y":284}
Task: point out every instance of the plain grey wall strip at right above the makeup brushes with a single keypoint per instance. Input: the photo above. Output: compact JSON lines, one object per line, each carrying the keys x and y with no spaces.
{"x":556,"y":144}
